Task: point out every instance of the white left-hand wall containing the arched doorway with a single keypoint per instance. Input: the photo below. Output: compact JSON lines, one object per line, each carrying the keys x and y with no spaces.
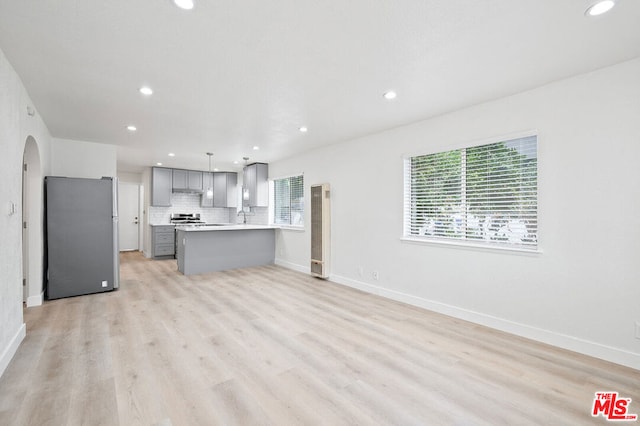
{"x":16,"y":126}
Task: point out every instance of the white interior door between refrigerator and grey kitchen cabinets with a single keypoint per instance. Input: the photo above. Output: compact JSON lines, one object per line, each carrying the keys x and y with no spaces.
{"x":128,"y":216}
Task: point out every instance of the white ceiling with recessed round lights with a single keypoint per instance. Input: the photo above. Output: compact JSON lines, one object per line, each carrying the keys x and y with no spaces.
{"x":232,"y":74}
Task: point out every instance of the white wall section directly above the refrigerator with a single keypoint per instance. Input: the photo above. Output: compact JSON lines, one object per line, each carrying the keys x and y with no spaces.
{"x":83,"y":159}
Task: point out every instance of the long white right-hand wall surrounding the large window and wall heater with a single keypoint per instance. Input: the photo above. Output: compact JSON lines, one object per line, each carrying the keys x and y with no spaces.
{"x":582,"y":292}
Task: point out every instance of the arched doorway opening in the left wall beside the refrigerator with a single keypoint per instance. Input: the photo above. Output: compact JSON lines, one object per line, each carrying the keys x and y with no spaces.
{"x":32,"y":217}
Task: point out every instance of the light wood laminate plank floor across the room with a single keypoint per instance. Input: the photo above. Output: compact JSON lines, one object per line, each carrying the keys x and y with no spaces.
{"x":268,"y":345}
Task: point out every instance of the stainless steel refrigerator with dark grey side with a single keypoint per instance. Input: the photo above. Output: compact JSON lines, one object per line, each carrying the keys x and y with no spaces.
{"x":81,"y":236}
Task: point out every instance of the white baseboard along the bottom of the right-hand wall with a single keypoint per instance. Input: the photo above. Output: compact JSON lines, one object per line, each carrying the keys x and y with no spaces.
{"x":597,"y":350}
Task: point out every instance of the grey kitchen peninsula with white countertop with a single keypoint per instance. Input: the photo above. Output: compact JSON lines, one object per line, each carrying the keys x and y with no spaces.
{"x":209,"y":248}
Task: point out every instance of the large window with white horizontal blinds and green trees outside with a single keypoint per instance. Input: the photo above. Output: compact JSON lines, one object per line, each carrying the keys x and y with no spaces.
{"x":487,"y":195}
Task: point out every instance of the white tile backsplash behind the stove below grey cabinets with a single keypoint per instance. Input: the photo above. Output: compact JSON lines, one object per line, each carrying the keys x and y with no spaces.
{"x":190,"y":203}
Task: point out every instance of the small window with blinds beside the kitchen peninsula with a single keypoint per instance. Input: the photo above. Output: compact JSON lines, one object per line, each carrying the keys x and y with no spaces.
{"x":288,"y":203}
